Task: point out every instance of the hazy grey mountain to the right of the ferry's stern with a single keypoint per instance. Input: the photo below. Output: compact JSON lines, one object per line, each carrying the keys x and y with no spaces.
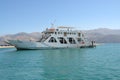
{"x":103,"y":35}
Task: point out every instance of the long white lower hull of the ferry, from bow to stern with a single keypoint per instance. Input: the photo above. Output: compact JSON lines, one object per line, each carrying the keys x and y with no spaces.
{"x":31,"y":45}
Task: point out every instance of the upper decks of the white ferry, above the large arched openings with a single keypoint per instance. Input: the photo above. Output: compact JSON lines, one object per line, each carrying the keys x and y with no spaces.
{"x":63,"y":32}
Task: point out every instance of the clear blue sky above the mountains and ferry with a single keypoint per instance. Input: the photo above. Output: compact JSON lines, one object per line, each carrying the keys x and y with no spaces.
{"x":37,"y":15}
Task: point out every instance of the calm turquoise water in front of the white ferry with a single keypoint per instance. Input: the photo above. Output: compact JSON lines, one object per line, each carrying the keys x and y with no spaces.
{"x":100,"y":63}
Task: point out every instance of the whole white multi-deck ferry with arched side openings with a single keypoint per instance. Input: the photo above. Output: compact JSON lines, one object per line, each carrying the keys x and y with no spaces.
{"x":60,"y":37}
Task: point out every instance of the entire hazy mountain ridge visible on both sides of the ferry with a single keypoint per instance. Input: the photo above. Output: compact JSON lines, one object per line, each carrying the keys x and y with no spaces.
{"x":101,"y":35}
